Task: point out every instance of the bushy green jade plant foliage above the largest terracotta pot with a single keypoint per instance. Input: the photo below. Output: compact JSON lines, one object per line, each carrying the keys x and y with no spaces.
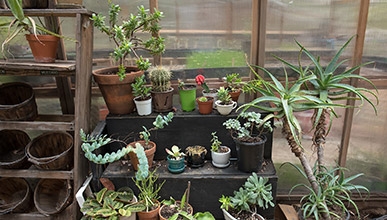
{"x":124,"y":34}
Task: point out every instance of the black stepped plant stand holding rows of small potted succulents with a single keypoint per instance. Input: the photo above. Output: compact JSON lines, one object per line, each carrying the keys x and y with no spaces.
{"x":187,"y":128}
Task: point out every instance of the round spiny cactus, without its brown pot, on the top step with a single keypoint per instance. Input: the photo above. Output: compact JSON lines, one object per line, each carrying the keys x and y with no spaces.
{"x":160,"y":78}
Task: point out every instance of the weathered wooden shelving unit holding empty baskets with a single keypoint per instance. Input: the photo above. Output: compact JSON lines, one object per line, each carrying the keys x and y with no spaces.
{"x":75,"y":109}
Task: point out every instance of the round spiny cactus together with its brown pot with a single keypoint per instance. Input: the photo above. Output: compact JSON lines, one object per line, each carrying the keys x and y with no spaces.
{"x":162,"y":91}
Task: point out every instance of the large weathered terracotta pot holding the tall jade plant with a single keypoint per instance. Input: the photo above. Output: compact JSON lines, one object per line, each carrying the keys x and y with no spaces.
{"x":117,"y":94}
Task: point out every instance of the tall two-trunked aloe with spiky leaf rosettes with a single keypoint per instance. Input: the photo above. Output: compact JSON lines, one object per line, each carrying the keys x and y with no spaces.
{"x":313,"y":89}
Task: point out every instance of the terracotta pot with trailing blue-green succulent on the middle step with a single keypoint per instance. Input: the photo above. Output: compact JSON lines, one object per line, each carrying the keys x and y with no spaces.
{"x":150,"y":147}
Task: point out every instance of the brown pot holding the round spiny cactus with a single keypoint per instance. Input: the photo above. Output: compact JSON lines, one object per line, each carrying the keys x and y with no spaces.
{"x":162,"y":101}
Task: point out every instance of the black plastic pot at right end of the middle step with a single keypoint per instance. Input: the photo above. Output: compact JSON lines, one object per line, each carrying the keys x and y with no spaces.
{"x":250,"y":155}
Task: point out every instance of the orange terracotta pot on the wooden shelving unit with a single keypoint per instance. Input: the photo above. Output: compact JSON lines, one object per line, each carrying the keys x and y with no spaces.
{"x":43,"y":47}
